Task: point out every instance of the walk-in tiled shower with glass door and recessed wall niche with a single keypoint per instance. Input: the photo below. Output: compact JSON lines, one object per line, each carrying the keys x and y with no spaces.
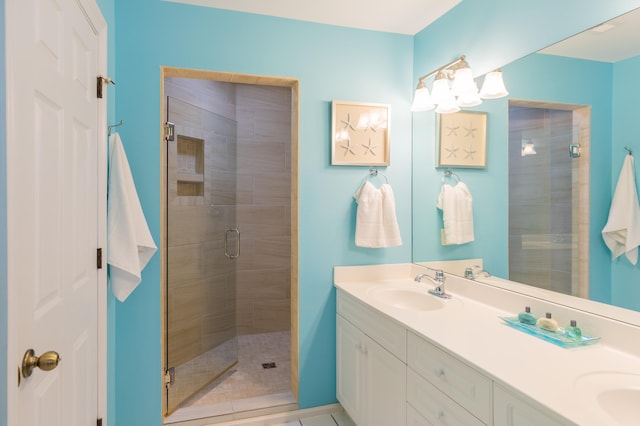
{"x":228,"y":243}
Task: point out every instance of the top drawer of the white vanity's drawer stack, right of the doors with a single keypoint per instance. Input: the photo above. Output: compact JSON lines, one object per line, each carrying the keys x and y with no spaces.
{"x":460,"y":382}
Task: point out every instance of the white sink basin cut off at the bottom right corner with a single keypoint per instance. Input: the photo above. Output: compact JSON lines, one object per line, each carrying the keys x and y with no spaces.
{"x":616,"y":393}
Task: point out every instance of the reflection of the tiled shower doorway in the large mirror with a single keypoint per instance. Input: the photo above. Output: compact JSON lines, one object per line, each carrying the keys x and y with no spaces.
{"x":546,"y":236}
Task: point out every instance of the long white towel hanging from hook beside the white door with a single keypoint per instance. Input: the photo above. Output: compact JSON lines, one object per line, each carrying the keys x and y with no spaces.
{"x":129,"y":242}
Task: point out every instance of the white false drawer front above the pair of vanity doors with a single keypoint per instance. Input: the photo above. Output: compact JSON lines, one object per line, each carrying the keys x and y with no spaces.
{"x":389,"y":334}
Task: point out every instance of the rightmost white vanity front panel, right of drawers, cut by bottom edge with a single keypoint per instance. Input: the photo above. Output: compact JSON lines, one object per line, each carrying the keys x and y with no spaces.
{"x":510,"y":410}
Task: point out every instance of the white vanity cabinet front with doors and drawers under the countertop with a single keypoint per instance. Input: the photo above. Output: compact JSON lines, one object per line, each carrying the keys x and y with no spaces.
{"x":388,"y":375}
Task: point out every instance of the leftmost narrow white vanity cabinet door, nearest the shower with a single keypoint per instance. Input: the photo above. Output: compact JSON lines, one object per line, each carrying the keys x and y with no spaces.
{"x":349,"y":368}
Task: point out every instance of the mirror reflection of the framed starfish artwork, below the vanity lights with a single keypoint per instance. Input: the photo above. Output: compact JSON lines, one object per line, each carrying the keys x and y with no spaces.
{"x":462,"y":140}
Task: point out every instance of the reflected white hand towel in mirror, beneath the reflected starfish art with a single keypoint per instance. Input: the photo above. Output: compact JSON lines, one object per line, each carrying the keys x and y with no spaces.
{"x":457,"y":213}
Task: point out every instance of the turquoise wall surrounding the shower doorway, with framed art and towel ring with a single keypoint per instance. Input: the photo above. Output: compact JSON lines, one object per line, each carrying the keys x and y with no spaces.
{"x":331,"y":63}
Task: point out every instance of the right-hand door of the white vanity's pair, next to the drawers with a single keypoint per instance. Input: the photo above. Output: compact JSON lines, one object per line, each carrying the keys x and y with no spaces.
{"x":384,"y":386}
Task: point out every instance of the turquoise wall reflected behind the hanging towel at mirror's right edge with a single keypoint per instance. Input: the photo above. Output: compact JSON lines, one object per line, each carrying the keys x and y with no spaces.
{"x":625,"y":277}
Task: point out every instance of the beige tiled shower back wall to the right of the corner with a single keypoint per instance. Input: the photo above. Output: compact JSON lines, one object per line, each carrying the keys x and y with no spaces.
{"x":264,"y":204}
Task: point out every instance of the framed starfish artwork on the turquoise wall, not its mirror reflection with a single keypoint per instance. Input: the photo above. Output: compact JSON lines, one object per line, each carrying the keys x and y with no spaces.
{"x":359,"y":134}
